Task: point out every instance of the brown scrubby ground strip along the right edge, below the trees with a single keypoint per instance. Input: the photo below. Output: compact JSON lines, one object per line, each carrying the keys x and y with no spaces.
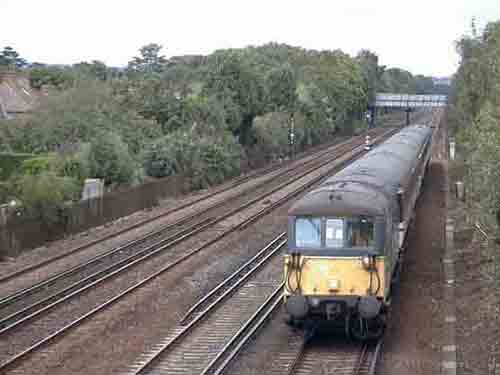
{"x":476,"y":281}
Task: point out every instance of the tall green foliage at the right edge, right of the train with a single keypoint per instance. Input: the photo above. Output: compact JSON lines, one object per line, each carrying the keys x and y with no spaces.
{"x":475,"y":115}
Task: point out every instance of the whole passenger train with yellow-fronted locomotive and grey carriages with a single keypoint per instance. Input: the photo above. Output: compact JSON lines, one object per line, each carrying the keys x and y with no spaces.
{"x":346,"y":237}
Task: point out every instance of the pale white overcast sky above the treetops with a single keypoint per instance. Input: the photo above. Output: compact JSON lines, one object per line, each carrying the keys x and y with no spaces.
{"x":417,"y":36}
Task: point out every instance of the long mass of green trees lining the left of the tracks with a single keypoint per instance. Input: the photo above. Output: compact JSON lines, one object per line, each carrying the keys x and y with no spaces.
{"x":201,"y":116}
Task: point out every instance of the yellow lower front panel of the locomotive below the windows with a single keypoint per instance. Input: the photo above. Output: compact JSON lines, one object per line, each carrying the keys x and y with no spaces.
{"x":335,"y":276}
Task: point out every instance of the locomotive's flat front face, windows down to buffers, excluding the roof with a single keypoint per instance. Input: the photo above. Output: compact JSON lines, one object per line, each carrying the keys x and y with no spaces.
{"x":334,"y":268}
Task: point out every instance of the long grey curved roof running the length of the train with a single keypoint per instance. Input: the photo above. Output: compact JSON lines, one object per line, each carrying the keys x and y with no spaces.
{"x":369,"y":184}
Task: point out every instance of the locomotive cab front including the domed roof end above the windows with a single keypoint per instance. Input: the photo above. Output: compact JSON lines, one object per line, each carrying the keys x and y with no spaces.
{"x":335,"y":266}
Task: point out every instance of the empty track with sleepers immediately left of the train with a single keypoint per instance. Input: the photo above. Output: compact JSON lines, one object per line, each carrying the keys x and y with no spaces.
{"x":215,"y":329}
